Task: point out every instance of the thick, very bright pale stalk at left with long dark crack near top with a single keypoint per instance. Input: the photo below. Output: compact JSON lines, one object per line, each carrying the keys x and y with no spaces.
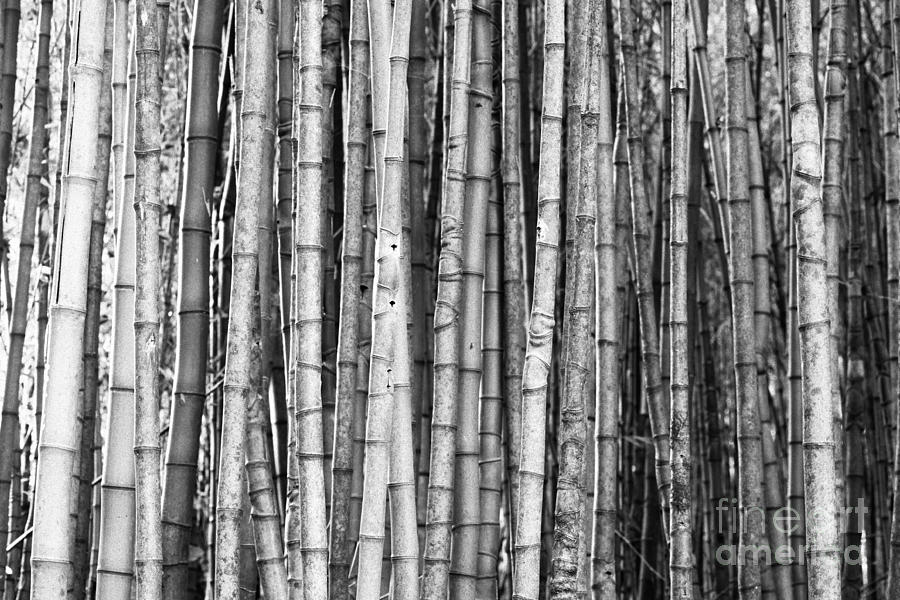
{"x":60,"y":433}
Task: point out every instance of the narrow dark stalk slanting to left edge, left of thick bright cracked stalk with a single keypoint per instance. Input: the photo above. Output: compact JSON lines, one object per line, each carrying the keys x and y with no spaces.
{"x":9,"y":425}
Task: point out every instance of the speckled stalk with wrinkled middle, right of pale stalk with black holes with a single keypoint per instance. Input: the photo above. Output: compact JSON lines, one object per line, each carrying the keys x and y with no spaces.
{"x":447,"y":333}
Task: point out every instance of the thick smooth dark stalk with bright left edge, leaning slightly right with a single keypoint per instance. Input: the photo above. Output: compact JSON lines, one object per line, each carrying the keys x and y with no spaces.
{"x":201,"y":145}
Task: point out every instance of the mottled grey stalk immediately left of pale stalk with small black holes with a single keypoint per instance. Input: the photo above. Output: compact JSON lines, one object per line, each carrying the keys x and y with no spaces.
{"x":341,"y":551}
